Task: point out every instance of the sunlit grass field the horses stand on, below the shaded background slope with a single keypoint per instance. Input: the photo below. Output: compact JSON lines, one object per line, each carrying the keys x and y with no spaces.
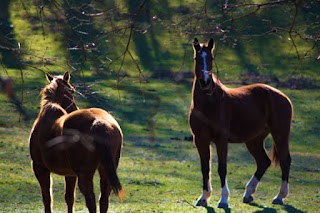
{"x":159,"y":169}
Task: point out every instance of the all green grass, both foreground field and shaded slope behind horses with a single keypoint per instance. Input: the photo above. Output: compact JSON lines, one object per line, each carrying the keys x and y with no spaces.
{"x":159,"y":169}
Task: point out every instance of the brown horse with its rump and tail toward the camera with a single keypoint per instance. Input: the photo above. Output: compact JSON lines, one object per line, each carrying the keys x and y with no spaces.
{"x":74,"y":143}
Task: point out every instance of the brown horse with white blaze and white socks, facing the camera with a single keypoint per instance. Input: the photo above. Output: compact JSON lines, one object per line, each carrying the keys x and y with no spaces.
{"x":241,"y":115}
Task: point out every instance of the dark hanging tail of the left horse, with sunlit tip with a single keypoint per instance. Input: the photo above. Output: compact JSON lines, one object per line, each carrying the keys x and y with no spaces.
{"x":107,"y":159}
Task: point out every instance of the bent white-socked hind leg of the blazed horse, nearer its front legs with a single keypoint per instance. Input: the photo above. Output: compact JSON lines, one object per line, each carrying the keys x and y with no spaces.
{"x":257,"y":150}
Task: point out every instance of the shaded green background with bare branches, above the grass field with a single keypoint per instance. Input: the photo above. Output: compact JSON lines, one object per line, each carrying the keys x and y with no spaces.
{"x":152,"y":37}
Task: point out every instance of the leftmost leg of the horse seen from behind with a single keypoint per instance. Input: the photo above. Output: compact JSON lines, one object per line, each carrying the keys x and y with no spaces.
{"x":43,"y":176}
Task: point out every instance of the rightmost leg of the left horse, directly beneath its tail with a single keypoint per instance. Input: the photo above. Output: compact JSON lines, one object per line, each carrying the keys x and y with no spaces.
{"x":105,"y":190}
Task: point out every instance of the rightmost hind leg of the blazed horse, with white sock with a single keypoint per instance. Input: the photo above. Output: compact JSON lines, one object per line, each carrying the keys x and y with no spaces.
{"x":282,"y":154}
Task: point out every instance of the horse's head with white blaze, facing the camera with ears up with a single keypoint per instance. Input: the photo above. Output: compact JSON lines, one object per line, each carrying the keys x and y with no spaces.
{"x":203,"y":57}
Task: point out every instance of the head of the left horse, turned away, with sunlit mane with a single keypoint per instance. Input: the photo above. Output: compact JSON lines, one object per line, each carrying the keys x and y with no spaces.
{"x":60,"y":91}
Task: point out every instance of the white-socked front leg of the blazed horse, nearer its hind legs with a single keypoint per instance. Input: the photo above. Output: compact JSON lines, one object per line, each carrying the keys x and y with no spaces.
{"x":222,"y":152}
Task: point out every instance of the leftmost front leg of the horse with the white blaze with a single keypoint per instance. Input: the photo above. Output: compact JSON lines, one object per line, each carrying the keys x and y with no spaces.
{"x":204,"y":150}
